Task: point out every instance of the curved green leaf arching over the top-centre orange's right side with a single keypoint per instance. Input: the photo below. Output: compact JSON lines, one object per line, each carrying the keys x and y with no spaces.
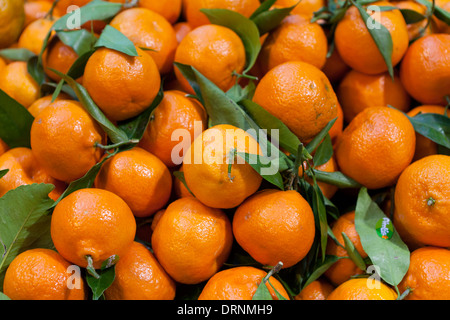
{"x":245,"y":28}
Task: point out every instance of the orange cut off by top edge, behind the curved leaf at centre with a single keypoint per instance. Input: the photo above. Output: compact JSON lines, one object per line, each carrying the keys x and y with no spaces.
{"x":196,"y":18}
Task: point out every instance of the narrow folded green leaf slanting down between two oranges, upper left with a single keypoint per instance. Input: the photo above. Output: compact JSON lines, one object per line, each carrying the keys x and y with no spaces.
{"x":115,"y":134}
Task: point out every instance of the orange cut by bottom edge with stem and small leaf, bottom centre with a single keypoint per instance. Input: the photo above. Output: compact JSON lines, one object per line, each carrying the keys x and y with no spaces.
{"x":239,"y":283}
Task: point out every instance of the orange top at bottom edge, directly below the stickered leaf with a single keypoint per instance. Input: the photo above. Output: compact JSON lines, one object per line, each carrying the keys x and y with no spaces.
{"x":360,"y":289}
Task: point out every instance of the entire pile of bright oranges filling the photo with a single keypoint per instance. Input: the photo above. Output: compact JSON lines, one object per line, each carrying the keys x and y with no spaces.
{"x":173,"y":211}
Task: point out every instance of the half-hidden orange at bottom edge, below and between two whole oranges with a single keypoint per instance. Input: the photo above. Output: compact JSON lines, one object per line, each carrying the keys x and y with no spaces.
{"x":139,"y":276}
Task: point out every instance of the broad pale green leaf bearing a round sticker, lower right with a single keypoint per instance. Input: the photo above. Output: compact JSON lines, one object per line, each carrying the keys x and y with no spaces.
{"x":390,"y":255}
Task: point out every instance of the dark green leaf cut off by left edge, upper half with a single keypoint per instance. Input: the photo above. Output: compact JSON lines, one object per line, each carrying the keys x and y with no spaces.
{"x":15,"y":122}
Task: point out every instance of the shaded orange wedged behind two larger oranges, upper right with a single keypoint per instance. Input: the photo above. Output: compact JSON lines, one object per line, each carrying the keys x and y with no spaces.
{"x":358,"y":91}
